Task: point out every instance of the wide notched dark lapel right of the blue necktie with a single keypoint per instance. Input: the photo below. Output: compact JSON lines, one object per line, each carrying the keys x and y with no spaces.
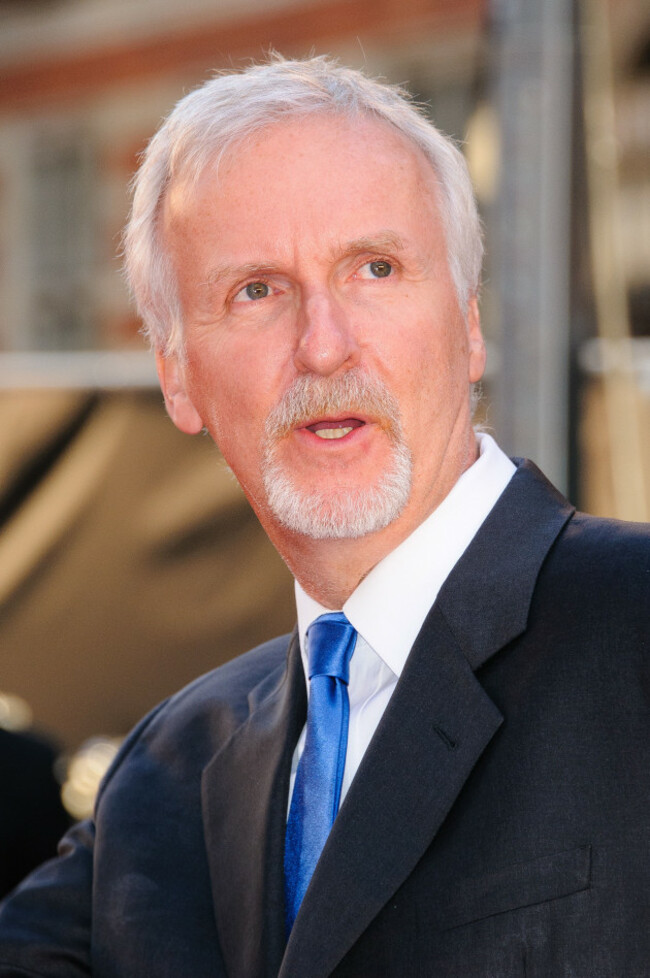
{"x":437,"y":725}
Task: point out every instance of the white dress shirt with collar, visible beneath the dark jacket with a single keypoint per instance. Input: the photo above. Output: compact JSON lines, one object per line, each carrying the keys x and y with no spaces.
{"x":389,"y":606}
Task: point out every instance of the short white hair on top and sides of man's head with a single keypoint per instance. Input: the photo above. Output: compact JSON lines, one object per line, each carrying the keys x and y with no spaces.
{"x":207,"y":123}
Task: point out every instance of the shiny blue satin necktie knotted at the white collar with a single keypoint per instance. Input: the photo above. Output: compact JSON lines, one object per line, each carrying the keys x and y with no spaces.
{"x":317,"y":789}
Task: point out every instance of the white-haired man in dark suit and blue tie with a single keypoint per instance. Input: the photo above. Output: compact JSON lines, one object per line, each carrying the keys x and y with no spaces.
{"x":305,"y":251}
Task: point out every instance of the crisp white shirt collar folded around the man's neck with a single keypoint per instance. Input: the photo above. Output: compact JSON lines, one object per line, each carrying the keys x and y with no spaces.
{"x":389,"y":606}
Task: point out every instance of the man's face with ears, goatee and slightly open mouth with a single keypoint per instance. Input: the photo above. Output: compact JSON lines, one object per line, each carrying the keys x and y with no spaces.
{"x":325,"y":349}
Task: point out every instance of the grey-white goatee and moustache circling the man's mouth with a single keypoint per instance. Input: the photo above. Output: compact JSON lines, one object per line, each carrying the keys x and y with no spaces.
{"x":340,"y":513}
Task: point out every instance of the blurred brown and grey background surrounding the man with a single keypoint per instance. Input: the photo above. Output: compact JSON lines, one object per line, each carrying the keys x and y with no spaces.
{"x":129,"y":559}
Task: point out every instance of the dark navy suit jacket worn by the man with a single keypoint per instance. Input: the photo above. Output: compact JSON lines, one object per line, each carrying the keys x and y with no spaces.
{"x":497,"y":826}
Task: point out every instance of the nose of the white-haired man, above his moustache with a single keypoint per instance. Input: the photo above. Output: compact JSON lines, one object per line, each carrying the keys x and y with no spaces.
{"x":326,"y":339}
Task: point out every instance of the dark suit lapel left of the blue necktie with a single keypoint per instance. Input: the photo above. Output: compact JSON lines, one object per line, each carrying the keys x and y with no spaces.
{"x":245,"y":790}
